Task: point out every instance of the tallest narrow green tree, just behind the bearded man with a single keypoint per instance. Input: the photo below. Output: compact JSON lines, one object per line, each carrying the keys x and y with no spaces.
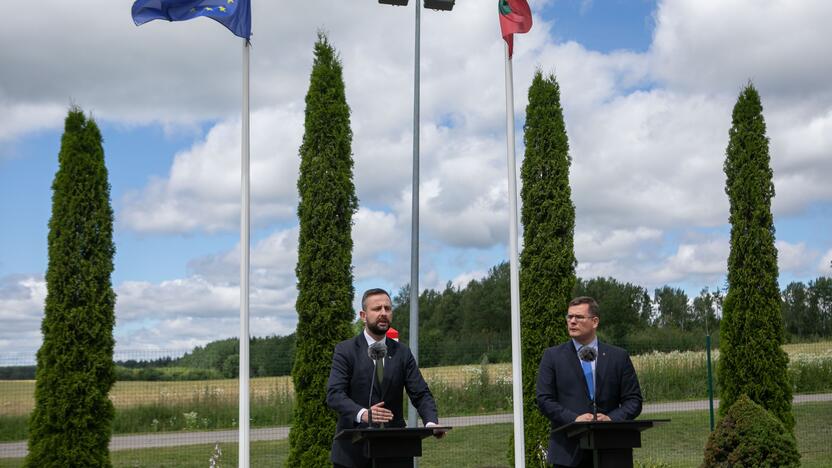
{"x":324,"y":270}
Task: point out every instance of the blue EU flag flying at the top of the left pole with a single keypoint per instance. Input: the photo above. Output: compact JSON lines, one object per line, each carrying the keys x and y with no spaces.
{"x":233,"y":14}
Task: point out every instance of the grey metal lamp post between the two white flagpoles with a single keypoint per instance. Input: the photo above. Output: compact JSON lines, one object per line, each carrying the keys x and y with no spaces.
{"x":413,"y":339}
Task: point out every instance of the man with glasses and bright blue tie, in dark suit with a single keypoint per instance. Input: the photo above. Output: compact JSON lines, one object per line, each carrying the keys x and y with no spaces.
{"x":566,"y":385}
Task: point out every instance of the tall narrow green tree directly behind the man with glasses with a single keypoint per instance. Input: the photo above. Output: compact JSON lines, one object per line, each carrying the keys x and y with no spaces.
{"x":547,"y":264}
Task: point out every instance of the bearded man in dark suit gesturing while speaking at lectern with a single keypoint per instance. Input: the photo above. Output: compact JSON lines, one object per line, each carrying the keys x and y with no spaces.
{"x":348,"y":389}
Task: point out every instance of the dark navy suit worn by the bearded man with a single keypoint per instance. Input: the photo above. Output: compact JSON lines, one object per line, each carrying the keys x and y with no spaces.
{"x":348,"y":391}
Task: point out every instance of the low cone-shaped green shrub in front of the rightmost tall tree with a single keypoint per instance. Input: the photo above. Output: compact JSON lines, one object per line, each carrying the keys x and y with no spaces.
{"x":750,"y":436}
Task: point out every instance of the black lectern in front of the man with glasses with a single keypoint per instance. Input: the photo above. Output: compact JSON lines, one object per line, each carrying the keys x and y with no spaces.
{"x":611,"y":442}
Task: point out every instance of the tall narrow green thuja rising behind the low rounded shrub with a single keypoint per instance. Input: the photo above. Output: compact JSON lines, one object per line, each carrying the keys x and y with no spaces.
{"x":751,"y":360}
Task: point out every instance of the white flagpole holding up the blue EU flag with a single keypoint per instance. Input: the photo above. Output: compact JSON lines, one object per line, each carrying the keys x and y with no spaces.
{"x":245,"y":240}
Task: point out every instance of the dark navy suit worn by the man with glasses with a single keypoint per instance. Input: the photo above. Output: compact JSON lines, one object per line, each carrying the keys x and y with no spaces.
{"x":563,"y":394}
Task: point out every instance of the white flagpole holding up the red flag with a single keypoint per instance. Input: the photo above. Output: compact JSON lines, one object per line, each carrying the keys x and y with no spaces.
{"x":516,"y":367}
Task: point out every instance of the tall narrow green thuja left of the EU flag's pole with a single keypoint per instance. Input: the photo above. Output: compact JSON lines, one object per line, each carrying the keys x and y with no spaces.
{"x":71,"y":422}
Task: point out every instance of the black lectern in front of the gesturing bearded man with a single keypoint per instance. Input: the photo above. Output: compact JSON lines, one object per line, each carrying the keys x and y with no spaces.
{"x":391,"y":447}
